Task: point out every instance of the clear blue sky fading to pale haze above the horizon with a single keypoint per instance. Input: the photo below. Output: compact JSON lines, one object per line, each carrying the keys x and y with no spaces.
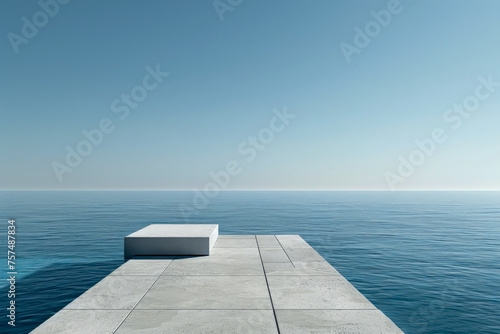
{"x":359,"y":89}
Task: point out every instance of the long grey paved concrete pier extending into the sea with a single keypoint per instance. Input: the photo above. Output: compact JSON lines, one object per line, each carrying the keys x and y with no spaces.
{"x":248,"y":284}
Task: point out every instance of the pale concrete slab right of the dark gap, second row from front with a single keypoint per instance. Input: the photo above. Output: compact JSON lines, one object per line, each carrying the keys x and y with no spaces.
{"x":315,"y":292}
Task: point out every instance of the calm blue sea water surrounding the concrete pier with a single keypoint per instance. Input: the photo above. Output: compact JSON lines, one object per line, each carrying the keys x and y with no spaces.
{"x":429,"y":260}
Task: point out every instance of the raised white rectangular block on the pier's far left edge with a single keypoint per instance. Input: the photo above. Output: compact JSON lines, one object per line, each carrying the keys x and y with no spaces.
{"x":171,"y":239}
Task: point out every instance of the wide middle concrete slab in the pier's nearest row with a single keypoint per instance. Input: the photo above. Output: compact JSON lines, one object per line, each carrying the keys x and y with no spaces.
{"x":199,"y":321}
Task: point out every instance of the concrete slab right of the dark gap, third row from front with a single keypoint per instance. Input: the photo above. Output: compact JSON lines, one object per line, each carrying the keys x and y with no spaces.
{"x":315,"y":268}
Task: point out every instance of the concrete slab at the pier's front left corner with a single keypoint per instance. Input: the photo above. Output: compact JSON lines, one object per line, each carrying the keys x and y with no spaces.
{"x":82,"y":322}
